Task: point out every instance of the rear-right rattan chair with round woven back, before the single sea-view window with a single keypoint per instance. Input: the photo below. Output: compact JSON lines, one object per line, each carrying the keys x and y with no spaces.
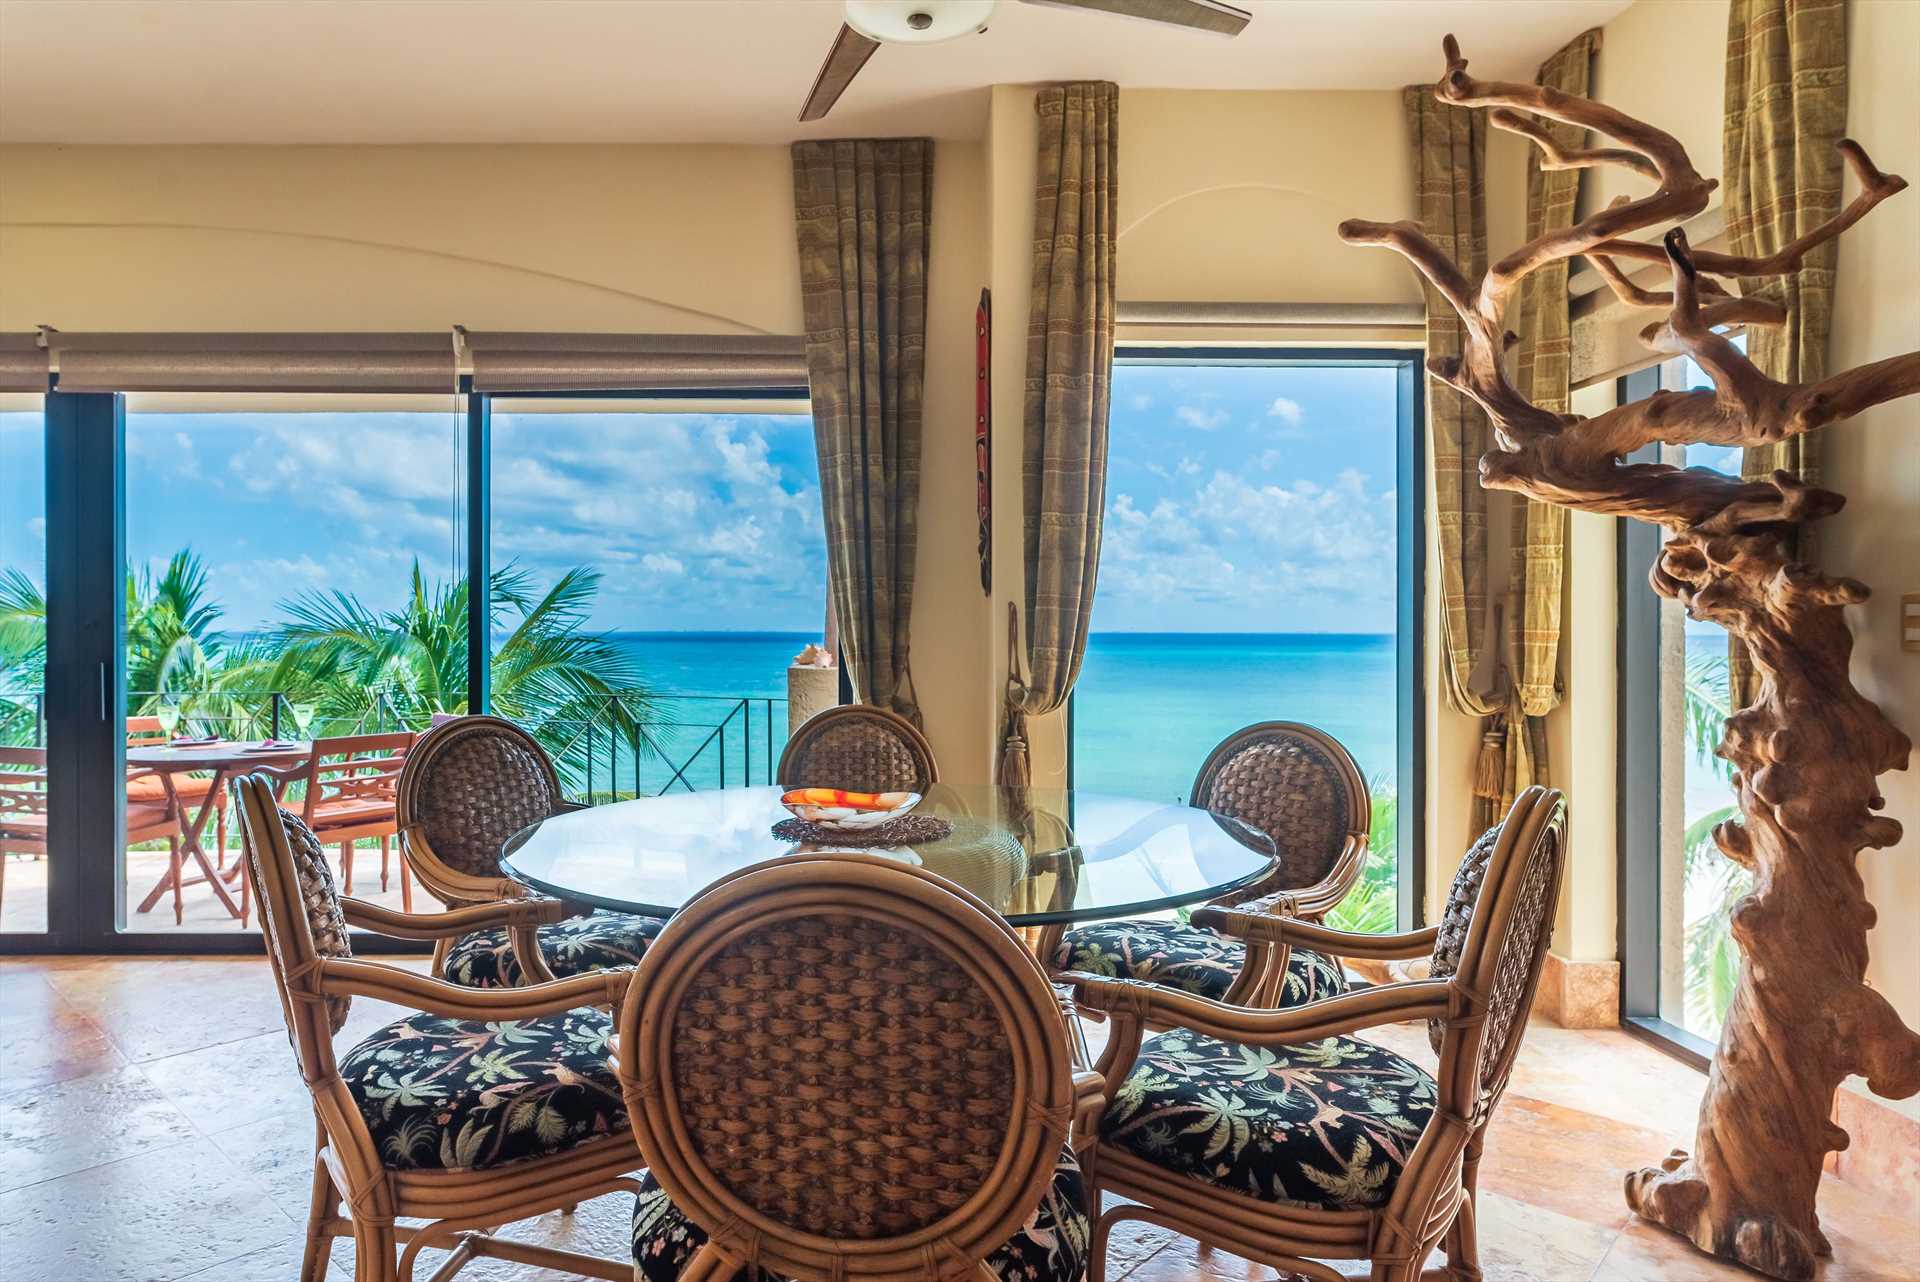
{"x":1301,"y":788}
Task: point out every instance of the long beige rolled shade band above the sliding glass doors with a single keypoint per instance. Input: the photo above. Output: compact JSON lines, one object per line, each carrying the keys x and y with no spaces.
{"x":398,"y":364}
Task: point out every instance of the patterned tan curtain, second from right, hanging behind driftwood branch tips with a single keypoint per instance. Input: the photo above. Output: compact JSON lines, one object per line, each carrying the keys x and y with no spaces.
{"x":1543,"y":364}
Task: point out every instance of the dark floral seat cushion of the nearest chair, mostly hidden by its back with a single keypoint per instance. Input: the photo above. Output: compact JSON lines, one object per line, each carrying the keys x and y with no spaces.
{"x":1049,"y":1248}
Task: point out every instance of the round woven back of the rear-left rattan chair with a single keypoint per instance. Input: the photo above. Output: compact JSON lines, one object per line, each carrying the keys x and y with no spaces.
{"x":469,"y":786}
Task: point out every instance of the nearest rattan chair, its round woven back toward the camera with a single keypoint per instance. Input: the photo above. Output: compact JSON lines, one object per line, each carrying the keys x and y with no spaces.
{"x":848,"y":1070}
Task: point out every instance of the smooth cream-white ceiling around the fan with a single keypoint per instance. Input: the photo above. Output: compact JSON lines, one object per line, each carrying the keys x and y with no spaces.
{"x":665,"y":70}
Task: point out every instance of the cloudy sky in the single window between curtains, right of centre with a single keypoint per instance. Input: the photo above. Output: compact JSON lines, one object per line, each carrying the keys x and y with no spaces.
{"x":1249,"y":500}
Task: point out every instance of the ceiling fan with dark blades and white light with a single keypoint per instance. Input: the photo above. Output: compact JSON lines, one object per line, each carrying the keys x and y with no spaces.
{"x":873,"y":24}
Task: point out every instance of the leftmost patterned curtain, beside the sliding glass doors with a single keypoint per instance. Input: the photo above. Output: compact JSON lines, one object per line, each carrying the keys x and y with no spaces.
{"x":863,"y":224}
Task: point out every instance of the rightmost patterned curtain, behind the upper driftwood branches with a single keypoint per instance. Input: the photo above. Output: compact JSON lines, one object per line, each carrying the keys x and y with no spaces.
{"x":1787,"y":110}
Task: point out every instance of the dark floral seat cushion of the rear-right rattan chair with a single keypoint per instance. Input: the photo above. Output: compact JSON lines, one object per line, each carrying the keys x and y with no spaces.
{"x":1189,"y":959}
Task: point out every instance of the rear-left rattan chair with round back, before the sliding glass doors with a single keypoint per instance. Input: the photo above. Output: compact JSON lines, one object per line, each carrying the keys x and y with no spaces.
{"x":466,"y":790}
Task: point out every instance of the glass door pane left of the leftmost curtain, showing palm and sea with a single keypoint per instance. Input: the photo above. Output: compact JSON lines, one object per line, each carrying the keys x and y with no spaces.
{"x":683,"y":550}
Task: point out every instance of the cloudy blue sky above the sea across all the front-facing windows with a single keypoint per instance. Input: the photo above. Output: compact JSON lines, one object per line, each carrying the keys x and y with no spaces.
{"x":1239,"y":500}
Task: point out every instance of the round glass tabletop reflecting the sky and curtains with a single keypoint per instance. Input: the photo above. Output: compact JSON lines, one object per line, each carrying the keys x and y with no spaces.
{"x":1036,"y":855}
